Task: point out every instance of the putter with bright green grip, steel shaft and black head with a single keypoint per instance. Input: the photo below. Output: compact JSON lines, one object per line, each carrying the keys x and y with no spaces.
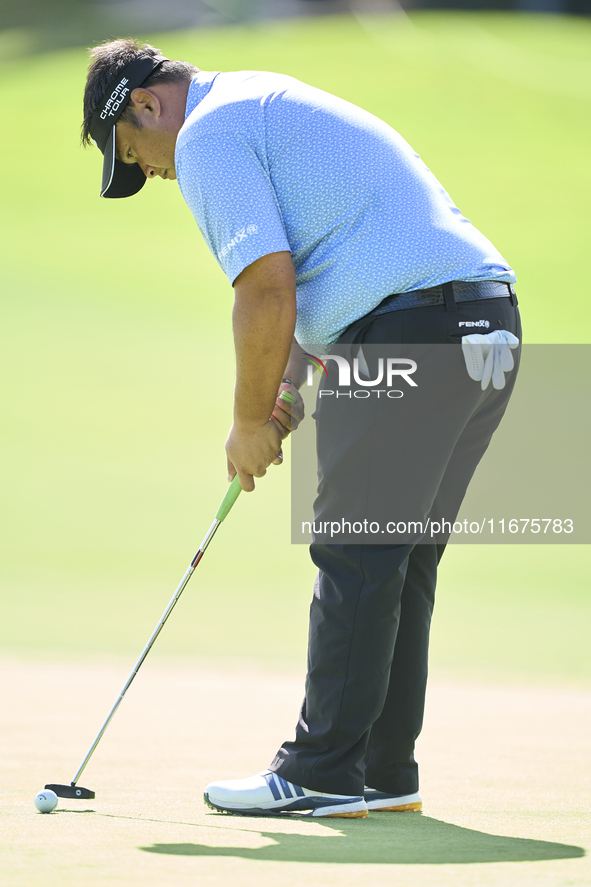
{"x":74,"y":790}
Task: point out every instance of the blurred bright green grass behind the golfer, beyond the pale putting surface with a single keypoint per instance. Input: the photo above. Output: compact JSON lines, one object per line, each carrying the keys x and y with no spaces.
{"x":117,"y":360}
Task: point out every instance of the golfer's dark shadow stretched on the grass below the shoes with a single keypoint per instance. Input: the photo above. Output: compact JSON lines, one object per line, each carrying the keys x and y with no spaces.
{"x":404,"y":840}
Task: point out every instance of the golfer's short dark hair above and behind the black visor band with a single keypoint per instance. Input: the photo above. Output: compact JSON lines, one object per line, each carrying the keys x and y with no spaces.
{"x":108,"y":59}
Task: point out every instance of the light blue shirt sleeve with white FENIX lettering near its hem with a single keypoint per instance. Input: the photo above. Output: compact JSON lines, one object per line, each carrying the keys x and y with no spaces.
{"x":229,"y":191}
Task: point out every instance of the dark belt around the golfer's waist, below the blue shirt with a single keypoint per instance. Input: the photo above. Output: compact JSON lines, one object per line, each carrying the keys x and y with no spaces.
{"x":446,"y":294}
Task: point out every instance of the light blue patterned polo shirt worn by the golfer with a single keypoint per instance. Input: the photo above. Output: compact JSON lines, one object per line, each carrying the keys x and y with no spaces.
{"x":267,"y":163}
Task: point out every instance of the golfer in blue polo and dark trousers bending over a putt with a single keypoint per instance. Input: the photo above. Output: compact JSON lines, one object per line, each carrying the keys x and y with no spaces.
{"x":331,"y":231}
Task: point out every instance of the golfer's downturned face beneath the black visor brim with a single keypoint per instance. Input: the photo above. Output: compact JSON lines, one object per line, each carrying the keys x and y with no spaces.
{"x":152,"y":147}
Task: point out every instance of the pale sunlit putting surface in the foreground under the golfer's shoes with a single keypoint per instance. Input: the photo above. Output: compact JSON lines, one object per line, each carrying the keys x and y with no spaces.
{"x":496,"y":810}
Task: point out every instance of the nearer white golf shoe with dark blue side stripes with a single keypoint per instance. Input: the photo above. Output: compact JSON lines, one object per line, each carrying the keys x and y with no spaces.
{"x":267,"y":794}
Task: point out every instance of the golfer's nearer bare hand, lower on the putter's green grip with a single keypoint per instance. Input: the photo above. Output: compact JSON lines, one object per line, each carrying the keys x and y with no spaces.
{"x":250,"y":451}
